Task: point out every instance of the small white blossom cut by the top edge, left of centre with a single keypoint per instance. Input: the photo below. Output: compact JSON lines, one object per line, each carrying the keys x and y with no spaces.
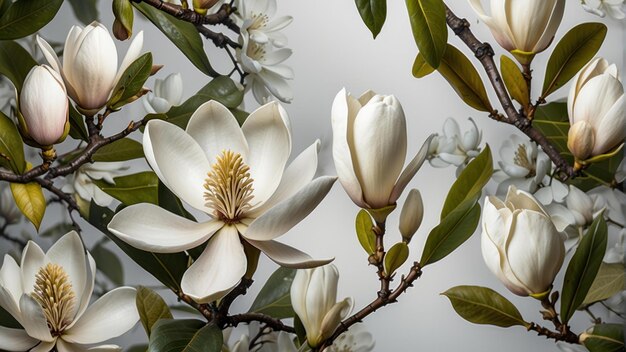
{"x":257,"y":17}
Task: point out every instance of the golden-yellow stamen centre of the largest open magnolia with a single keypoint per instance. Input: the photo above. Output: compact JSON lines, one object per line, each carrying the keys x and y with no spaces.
{"x":229,"y":187}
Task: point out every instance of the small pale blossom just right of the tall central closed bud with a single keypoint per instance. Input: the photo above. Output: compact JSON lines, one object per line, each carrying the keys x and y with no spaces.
{"x":454,"y":148}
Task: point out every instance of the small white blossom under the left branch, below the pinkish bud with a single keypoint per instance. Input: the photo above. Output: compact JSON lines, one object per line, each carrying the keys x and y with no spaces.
{"x":81,"y":181}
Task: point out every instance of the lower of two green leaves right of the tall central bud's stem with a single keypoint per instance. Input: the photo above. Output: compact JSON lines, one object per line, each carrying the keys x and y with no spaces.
{"x":456,"y":228}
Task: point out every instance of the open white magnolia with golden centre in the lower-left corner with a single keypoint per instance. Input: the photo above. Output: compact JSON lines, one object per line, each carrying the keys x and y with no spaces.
{"x":48,"y":294}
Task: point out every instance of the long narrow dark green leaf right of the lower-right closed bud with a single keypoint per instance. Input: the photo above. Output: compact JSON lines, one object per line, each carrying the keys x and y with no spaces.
{"x":583,"y":268}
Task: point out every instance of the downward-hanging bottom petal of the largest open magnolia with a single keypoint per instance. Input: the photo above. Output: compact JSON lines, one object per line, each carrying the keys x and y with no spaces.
{"x":218,"y":269}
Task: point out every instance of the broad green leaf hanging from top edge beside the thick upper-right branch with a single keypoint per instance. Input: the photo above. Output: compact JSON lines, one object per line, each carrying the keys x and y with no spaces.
{"x":430,"y":31}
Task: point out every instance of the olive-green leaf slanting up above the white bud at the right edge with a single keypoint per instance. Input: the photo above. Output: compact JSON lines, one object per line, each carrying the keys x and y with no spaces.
{"x":572,"y":52}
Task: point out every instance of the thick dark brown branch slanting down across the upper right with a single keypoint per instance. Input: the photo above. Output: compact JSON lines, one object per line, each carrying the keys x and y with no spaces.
{"x":484,"y":53}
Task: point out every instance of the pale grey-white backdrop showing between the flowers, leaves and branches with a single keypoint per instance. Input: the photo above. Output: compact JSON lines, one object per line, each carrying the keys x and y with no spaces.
{"x":333,"y":49}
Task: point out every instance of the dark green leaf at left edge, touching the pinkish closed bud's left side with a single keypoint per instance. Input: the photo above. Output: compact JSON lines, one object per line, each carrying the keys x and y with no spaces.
{"x":15,"y":62}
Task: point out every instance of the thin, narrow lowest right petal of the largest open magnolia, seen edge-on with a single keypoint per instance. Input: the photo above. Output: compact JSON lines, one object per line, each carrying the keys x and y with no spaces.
{"x":288,"y":256}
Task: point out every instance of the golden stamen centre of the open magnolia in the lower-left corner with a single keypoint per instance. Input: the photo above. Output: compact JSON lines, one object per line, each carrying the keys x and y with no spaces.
{"x":53,"y":291}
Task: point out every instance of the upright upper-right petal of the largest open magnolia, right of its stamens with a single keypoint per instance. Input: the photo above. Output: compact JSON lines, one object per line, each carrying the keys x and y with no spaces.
{"x":269,"y":140}
